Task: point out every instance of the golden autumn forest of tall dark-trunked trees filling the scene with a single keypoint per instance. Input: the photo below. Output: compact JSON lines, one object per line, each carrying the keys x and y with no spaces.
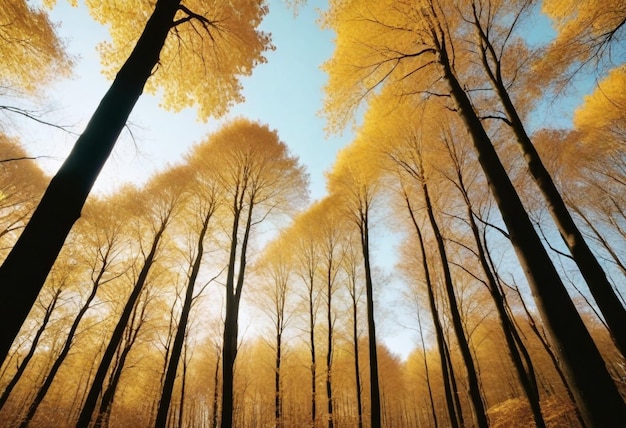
{"x":220,"y":294}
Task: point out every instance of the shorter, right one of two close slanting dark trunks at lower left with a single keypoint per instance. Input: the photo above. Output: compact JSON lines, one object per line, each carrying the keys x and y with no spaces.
{"x":106,"y":403}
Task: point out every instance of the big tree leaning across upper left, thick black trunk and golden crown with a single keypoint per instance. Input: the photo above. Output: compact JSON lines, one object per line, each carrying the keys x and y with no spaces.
{"x":221,"y":51}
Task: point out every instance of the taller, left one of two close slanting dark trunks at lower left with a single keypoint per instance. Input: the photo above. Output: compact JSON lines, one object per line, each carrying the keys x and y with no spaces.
{"x":96,"y":387}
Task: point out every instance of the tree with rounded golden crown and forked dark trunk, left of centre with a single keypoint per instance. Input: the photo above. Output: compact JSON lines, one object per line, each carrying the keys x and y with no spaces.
{"x":258,"y":178}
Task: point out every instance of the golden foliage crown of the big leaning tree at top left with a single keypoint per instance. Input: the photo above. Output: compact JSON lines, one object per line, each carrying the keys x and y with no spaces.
{"x":210,"y":46}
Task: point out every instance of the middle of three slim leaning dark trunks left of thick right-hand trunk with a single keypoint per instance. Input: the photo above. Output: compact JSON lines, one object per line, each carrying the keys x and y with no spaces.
{"x":480,"y":415}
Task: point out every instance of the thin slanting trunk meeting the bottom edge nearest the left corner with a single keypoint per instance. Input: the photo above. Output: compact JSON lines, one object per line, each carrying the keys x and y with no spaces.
{"x":67,"y":346}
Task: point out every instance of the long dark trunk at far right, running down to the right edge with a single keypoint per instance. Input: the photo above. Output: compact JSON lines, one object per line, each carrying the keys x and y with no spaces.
{"x":612,"y":309}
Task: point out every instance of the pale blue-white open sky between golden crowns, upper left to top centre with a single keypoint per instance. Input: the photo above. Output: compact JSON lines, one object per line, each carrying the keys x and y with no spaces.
{"x":285,"y":93}
